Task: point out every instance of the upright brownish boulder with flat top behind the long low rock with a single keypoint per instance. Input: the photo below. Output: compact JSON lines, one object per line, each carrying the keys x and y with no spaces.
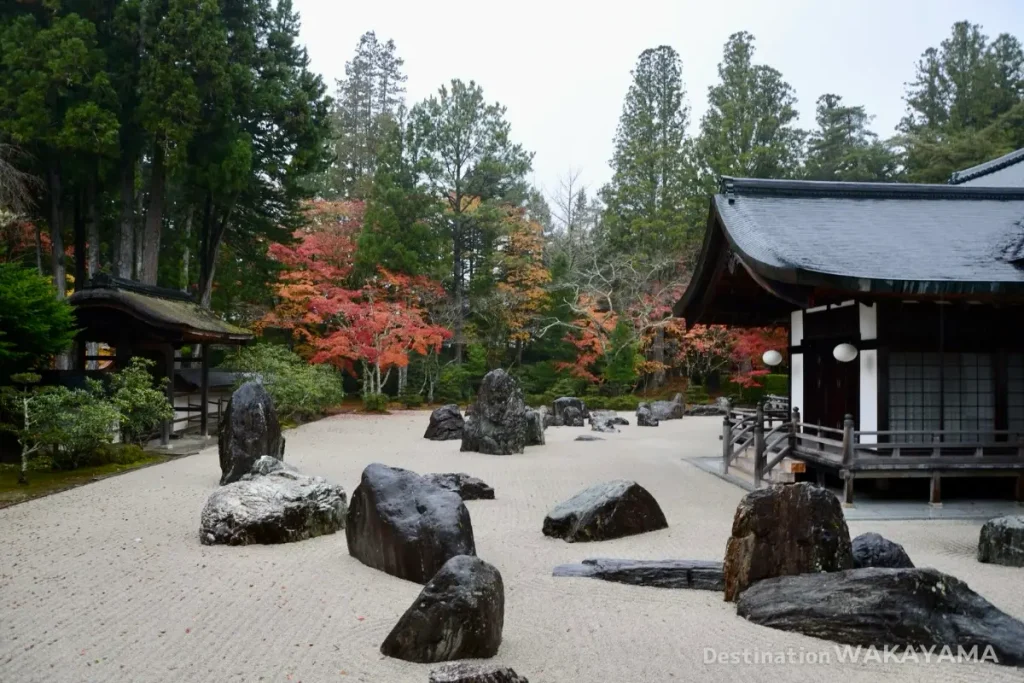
{"x":786,"y":530}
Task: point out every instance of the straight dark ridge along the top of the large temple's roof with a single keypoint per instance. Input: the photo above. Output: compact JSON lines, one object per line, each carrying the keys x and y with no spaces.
{"x":733,"y":187}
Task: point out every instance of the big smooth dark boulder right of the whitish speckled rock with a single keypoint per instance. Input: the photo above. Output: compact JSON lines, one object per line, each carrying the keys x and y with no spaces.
{"x":406,"y":525}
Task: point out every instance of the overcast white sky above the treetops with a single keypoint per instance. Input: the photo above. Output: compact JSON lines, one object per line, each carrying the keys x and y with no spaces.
{"x":563,"y":68}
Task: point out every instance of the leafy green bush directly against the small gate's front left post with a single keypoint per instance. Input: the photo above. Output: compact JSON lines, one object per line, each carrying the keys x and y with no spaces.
{"x":143,"y":408}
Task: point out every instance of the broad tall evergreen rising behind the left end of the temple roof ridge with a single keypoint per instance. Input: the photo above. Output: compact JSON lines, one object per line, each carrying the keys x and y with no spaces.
{"x":749,"y":127}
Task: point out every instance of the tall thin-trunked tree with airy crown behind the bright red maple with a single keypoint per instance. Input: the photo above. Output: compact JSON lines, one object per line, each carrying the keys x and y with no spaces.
{"x":473,"y":166}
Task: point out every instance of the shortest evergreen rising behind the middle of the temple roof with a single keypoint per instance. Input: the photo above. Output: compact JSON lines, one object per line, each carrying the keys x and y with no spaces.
{"x":843,"y":148}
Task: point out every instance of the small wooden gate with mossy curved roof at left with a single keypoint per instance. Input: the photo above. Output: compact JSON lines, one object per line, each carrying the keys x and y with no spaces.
{"x":155,"y":323}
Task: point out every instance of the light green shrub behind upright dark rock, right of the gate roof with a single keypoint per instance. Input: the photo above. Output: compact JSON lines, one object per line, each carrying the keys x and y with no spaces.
{"x":301,"y":391}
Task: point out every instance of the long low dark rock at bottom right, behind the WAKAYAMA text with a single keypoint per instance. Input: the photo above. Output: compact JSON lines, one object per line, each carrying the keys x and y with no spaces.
{"x":877,"y":607}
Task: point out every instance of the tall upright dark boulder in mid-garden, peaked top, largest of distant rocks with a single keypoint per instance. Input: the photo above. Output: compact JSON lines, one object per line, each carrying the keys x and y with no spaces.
{"x":498,"y":425}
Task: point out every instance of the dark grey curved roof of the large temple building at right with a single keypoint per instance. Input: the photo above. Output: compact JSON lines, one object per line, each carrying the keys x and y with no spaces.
{"x":877,"y":237}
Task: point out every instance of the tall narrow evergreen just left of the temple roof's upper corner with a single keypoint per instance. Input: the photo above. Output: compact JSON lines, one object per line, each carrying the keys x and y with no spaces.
{"x":652,"y":180}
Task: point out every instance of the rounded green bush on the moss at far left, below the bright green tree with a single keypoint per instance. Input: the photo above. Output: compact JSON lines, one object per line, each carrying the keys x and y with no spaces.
{"x":73,"y":423}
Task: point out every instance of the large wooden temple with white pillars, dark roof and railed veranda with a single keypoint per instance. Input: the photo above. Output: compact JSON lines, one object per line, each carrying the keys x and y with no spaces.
{"x":905,"y":306}
